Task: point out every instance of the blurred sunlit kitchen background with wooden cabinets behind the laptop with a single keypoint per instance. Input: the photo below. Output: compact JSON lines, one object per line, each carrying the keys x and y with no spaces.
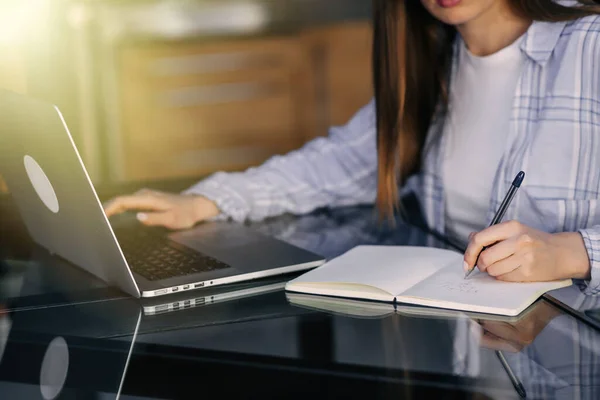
{"x":178,"y":89}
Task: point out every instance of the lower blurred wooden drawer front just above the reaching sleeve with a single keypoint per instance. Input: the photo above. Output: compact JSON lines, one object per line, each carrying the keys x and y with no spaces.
{"x":217,"y":134}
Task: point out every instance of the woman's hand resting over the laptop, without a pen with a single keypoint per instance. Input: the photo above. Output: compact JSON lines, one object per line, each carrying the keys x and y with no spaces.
{"x":173,"y":211}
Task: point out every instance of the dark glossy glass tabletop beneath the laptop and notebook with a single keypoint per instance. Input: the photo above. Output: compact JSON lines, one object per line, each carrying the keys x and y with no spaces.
{"x":65,"y":334}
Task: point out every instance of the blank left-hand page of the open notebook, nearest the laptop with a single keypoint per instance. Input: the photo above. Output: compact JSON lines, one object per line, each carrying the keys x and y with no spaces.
{"x":391,"y":269}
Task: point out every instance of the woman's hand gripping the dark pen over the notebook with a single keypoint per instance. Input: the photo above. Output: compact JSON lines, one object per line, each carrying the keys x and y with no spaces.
{"x":523,"y":254}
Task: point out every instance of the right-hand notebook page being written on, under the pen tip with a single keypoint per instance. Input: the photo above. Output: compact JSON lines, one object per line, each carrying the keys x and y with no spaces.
{"x":480,"y":292}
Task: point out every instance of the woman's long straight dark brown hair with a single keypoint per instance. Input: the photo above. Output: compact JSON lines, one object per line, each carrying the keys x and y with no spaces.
{"x":412,"y":53}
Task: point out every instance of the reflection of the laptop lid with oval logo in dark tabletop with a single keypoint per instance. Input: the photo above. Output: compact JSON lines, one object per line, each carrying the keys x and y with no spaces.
{"x":47,"y":366}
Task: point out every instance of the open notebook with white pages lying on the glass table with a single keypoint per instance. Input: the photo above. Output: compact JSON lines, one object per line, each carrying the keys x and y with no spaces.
{"x":418,"y":275}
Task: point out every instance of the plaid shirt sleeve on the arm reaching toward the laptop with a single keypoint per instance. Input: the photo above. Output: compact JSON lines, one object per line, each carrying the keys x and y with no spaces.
{"x":337,"y":170}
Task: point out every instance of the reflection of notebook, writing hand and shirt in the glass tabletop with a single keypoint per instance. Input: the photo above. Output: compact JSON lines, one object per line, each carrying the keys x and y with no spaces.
{"x":551,"y":353}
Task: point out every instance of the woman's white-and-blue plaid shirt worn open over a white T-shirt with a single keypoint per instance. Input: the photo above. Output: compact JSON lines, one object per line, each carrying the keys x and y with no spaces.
{"x":554,"y":137}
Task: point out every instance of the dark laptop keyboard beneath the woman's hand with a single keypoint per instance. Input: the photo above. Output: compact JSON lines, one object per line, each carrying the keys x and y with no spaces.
{"x":155,"y":257}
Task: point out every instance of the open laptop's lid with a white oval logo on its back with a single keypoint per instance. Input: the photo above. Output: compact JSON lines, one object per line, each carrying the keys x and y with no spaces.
{"x":53,"y":192}
